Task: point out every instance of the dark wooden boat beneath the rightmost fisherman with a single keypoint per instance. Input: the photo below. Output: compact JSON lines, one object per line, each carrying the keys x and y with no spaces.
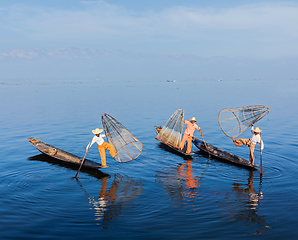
{"x":221,"y":154}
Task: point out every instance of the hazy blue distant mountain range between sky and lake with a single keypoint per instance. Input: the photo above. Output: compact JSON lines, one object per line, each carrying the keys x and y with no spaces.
{"x":118,"y":64}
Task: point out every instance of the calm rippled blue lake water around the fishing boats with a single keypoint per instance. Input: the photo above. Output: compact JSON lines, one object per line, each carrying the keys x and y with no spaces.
{"x":160,"y":195}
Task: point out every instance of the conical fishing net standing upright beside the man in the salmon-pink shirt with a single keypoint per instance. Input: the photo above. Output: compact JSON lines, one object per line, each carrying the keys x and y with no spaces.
{"x":171,"y":133}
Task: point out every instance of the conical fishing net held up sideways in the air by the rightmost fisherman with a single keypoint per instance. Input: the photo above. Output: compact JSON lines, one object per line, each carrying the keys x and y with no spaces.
{"x":234,"y":121}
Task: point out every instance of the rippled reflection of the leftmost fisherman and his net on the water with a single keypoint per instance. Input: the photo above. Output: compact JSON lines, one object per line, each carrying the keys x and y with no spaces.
{"x":113,"y":197}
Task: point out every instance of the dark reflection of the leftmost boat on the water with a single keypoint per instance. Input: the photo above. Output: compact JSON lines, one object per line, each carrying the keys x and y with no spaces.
{"x":45,"y":158}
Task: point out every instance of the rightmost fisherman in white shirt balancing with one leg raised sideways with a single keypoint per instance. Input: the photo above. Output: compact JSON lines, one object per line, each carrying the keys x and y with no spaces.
{"x":255,"y":138}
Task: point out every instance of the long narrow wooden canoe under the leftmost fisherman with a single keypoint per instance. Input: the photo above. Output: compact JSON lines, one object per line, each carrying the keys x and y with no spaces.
{"x":61,"y":154}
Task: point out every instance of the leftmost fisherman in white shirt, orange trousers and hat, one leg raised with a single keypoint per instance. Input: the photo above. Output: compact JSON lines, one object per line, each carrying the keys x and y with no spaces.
{"x":102,"y":146}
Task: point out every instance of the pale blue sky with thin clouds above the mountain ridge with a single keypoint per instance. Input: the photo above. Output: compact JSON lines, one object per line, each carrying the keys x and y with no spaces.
{"x":232,"y":28}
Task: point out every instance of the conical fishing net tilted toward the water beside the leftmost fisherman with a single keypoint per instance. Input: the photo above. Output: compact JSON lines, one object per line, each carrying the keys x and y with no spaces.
{"x":126,"y":144}
